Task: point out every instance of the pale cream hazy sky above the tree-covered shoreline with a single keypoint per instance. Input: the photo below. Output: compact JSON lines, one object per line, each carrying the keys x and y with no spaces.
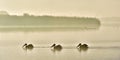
{"x":99,"y":8}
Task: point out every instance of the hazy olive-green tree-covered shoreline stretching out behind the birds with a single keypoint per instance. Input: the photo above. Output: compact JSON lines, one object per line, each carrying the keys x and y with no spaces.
{"x":47,"y":21}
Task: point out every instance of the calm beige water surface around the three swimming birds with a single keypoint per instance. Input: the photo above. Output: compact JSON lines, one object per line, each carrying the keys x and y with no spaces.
{"x":104,"y":44}
